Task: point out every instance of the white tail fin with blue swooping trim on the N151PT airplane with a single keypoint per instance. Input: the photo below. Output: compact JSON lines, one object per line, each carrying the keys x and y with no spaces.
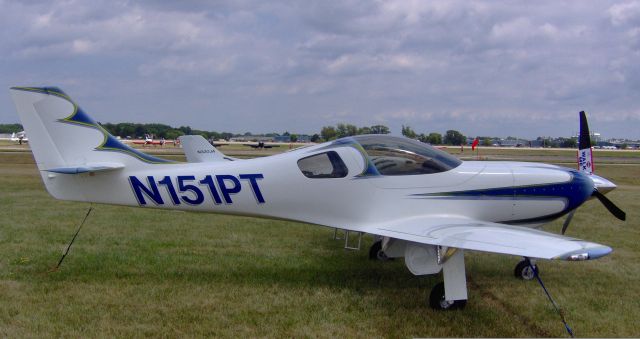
{"x":64,"y":139}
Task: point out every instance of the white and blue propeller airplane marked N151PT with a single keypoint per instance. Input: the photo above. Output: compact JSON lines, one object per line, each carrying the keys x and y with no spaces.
{"x":423,"y":204}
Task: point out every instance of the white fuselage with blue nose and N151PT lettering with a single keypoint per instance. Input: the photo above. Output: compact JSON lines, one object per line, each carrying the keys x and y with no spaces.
{"x":507,"y":192}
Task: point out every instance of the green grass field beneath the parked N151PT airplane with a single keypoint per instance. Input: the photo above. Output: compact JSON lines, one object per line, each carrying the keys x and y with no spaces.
{"x":140,"y":272}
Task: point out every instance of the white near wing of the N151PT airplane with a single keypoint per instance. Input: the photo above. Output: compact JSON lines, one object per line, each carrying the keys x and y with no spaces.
{"x":459,"y":232}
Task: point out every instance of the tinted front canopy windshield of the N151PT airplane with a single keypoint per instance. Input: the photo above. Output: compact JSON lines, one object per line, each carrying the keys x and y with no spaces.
{"x":402,"y":156}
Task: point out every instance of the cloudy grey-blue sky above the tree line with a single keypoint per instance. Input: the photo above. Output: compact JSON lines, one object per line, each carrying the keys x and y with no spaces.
{"x":494,"y":68}
